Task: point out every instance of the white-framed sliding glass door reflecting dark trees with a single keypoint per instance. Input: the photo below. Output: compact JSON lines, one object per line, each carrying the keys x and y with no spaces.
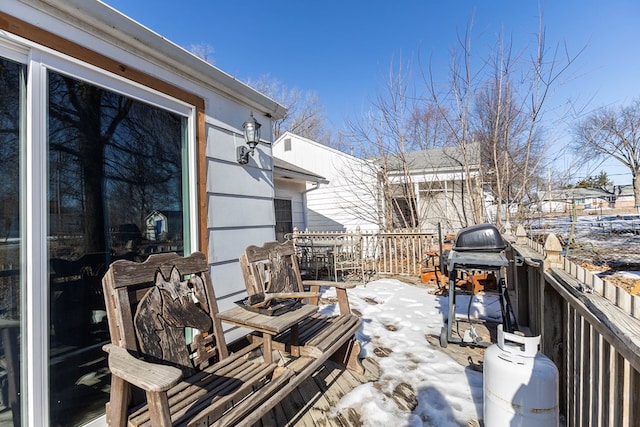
{"x":114,"y":185}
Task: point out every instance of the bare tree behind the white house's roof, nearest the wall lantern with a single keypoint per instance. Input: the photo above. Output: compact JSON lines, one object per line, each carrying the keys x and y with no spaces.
{"x":305,"y":114}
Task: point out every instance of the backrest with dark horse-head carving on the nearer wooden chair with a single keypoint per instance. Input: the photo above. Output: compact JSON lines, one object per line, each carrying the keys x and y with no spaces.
{"x":150,"y":306}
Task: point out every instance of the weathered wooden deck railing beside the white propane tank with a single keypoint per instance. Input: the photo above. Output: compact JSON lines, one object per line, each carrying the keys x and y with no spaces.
{"x":588,"y":327}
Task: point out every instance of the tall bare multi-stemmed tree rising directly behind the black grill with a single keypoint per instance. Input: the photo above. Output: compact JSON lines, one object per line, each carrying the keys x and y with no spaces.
{"x":505,"y":115}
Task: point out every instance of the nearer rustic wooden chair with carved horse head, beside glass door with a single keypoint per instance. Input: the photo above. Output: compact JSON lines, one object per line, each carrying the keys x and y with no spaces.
{"x":151,"y":307}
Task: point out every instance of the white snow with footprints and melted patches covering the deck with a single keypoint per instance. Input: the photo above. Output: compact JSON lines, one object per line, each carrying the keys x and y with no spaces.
{"x":396,"y":317}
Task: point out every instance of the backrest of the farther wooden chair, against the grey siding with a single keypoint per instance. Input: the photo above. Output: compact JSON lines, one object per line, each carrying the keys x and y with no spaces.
{"x":272,"y":267}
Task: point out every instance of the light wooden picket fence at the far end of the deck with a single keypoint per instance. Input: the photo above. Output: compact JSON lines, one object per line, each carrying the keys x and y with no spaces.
{"x":383,"y":253}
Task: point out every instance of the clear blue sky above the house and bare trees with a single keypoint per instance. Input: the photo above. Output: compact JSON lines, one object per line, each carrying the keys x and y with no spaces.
{"x":342,"y":50}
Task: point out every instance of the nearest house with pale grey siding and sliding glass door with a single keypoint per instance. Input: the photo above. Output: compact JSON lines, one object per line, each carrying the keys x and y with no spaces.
{"x":105,"y":121}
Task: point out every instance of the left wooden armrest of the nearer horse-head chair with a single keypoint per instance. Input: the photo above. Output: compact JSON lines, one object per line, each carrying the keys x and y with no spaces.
{"x":148,"y":376}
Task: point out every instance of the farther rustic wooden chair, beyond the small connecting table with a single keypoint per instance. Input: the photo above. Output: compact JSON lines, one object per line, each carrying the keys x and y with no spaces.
{"x":273,"y":267}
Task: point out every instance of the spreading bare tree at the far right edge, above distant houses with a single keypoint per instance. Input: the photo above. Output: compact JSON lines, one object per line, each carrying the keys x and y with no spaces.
{"x":613,"y":132}
